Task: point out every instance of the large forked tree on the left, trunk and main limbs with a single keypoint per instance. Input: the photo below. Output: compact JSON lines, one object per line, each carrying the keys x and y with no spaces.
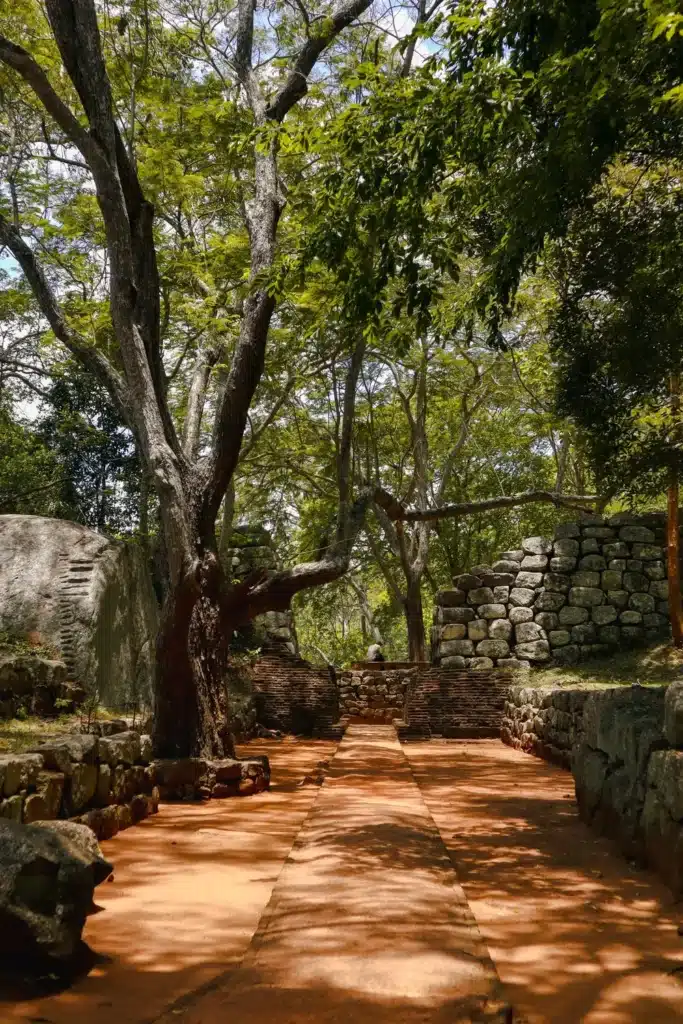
{"x":81,"y":109}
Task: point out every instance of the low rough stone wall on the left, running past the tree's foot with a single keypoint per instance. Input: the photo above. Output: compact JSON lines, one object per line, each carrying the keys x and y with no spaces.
{"x":111,"y":783}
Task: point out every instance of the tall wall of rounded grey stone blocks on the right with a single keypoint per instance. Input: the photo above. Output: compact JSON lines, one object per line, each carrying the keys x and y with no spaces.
{"x":599,"y":585}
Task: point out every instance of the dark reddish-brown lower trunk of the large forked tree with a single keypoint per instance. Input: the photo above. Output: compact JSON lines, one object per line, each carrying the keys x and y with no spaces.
{"x":192,"y":716}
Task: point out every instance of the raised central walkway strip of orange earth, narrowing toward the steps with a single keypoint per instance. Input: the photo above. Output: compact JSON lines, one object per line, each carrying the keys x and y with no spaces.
{"x":367,"y":922}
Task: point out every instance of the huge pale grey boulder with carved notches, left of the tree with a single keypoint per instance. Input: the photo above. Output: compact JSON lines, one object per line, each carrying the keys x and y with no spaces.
{"x":90,"y":598}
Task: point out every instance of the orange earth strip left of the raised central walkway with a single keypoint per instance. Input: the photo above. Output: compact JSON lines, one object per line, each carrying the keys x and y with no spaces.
{"x":190,"y":887}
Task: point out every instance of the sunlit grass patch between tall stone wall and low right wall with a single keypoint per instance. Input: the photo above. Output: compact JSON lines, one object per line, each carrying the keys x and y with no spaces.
{"x":652,"y":667}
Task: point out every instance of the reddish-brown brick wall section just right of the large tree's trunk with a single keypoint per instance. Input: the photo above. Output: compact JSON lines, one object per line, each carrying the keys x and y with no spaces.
{"x":294,"y":697}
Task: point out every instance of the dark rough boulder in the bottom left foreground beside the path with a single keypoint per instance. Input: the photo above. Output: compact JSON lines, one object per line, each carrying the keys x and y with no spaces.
{"x":49,"y":872}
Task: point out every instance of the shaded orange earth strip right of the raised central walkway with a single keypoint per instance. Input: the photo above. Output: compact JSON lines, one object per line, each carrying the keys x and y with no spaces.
{"x":576,"y":933}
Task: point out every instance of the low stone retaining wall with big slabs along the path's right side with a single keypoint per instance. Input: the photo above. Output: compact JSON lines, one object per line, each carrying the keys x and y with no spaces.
{"x":625,"y":748}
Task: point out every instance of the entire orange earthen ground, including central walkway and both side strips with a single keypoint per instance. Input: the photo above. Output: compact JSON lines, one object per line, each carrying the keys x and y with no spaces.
{"x":380,"y":898}
